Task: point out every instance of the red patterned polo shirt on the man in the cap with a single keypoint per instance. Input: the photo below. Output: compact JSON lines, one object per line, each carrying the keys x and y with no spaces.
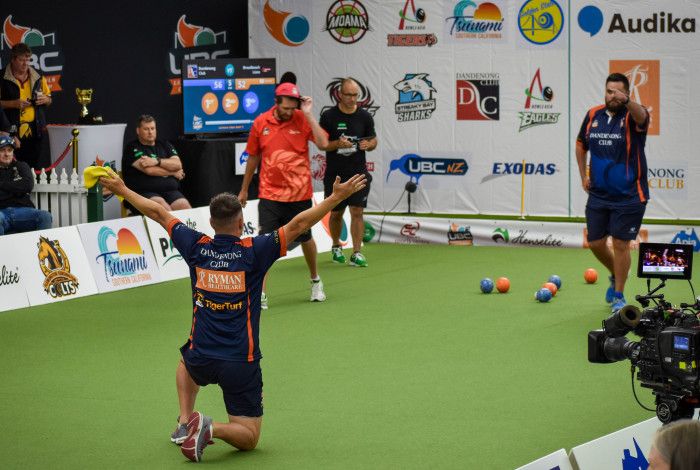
{"x":285,"y":169}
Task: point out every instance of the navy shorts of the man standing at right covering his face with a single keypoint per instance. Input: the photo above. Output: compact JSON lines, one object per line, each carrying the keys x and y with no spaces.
{"x":619,"y":221}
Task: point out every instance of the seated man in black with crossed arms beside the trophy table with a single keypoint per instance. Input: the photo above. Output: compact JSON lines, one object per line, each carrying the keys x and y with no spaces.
{"x":152,"y":168}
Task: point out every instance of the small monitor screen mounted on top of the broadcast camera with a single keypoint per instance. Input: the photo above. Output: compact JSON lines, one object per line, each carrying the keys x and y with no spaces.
{"x":665,"y":260}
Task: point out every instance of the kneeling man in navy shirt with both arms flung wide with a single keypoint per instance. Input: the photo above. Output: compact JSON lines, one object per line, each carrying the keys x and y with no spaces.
{"x":226,"y":274}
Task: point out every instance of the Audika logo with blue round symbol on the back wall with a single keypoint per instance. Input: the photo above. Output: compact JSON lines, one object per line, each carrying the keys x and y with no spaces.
{"x":590,"y":20}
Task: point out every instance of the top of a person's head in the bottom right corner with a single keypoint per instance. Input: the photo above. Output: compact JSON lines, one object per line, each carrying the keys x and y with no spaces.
{"x":676,"y":446}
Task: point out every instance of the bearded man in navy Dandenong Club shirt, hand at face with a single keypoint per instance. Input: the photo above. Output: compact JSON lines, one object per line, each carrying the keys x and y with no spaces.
{"x":614,"y":134}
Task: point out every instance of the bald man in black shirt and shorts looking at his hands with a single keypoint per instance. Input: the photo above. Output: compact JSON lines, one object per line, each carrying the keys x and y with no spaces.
{"x":350,"y":133}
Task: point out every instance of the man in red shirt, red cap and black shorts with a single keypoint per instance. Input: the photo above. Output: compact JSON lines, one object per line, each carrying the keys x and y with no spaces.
{"x":279,"y":143}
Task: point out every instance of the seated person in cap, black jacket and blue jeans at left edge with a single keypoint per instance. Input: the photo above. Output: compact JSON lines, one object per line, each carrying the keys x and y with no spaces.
{"x":17,"y":212}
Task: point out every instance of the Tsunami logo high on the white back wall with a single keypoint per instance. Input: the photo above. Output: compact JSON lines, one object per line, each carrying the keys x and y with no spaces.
{"x":471,"y":20}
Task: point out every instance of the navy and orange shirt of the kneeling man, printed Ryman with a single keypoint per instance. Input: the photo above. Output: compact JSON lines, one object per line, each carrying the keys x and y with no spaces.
{"x":226,"y":273}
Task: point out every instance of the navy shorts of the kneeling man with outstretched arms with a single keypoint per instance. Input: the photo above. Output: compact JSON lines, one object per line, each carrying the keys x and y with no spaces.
{"x":240,"y":382}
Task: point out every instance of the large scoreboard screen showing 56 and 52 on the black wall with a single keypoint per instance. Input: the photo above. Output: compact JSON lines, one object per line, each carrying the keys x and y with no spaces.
{"x":226,"y":95}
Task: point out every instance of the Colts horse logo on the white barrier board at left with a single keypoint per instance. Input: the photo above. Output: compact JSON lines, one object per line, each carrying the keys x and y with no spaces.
{"x":55,"y":265}
